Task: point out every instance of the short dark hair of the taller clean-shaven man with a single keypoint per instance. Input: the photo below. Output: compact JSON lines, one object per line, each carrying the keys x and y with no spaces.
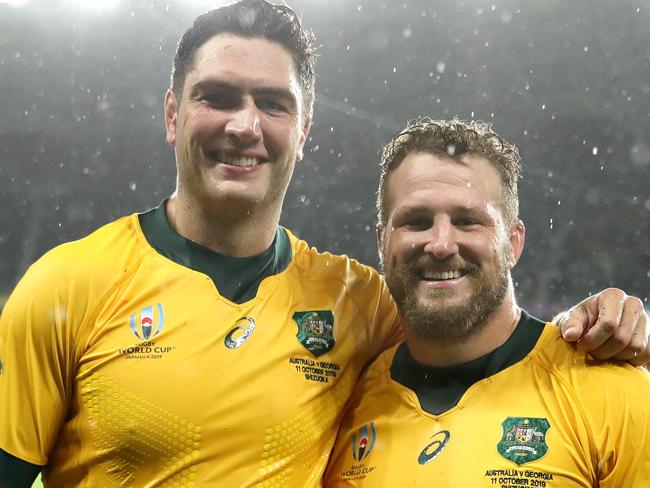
{"x":252,"y":19}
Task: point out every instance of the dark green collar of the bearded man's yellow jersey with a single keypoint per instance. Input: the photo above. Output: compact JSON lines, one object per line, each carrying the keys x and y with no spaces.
{"x":440,"y":389}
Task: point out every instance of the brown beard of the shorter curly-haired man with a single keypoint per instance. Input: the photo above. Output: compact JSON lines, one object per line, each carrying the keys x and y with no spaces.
{"x":430,"y":317}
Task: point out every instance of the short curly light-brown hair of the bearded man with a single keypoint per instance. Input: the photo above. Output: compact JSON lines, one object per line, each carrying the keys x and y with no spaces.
{"x":453,"y":138}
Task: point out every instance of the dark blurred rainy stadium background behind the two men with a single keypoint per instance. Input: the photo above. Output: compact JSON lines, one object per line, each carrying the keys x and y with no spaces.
{"x":82,"y":140}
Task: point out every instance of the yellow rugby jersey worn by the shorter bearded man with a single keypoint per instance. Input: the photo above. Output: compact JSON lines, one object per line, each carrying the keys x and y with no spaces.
{"x":551,"y":419}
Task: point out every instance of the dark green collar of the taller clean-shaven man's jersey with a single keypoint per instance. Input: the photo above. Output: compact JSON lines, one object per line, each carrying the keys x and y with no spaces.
{"x":236,"y":279}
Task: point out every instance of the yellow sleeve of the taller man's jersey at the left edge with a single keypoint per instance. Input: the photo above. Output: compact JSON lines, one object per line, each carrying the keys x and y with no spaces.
{"x":36,"y":362}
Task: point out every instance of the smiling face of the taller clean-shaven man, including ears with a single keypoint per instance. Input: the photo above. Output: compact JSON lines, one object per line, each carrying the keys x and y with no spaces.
{"x":238,"y":128}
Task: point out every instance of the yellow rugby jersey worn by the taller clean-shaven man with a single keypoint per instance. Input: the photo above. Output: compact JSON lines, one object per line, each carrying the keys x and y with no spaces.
{"x":123,"y":367}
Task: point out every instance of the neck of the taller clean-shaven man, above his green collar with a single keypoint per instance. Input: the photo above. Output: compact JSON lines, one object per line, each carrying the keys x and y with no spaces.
{"x":229,"y":231}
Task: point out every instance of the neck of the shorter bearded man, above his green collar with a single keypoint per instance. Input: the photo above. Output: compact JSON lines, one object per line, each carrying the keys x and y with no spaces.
{"x":499,"y":326}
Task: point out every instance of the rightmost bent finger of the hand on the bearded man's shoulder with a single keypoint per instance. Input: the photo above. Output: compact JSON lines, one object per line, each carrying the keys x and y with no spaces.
{"x":628,"y":341}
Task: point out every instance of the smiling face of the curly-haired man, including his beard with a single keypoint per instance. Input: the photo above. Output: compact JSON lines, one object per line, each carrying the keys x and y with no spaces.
{"x":446,"y":249}
